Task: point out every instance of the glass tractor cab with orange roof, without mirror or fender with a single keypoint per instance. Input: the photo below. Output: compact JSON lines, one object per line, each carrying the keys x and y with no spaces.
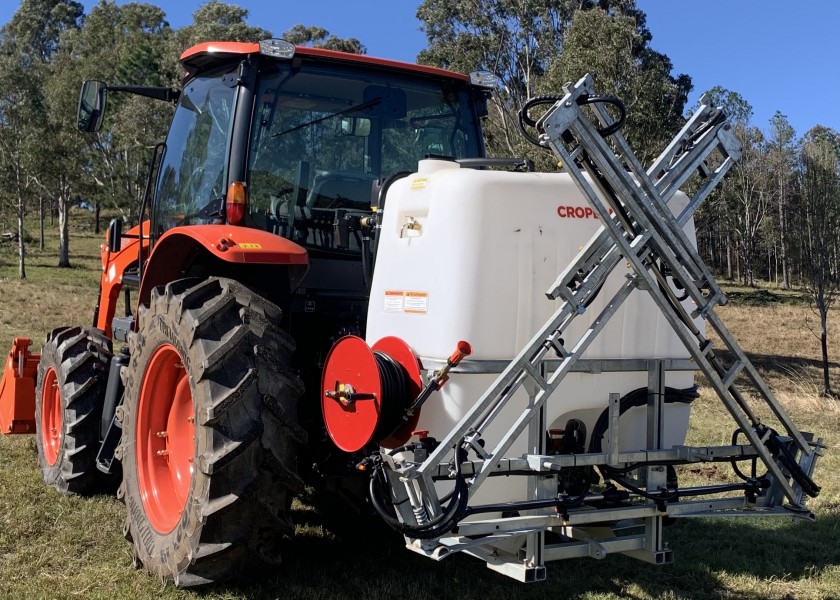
{"x":295,"y":139}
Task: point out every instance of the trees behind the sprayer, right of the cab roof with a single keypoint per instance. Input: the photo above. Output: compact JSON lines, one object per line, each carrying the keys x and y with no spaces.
{"x":777,"y":215}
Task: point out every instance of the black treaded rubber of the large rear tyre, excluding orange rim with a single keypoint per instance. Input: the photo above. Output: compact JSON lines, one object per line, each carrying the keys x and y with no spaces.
{"x":245,"y":476}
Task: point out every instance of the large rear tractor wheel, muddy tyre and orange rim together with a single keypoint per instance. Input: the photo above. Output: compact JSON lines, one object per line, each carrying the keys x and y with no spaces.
{"x":241,"y":465}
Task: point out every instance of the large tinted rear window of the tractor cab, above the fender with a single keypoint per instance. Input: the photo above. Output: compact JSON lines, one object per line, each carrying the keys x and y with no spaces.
{"x":321,"y":137}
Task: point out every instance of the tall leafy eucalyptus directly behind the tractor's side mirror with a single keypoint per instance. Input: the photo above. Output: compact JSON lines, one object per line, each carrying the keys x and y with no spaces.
{"x":123,"y":45}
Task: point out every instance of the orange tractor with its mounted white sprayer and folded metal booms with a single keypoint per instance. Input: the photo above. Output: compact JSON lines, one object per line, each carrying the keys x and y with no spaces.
{"x":321,"y":247}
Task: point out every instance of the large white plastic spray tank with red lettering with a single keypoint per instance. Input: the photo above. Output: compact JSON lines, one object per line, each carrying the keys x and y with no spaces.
{"x":467,"y":254}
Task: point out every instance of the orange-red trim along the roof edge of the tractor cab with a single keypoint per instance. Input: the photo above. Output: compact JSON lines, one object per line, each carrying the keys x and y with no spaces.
{"x":201,"y":55}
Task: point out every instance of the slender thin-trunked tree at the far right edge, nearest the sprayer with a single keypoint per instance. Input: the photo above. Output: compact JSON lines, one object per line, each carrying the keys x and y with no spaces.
{"x":819,"y":197}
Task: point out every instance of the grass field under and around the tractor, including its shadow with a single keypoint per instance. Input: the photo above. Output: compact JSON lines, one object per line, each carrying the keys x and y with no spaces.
{"x":60,"y":547}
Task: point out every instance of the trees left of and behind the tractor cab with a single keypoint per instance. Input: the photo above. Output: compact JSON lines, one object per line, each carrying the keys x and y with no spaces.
{"x":46,"y":50}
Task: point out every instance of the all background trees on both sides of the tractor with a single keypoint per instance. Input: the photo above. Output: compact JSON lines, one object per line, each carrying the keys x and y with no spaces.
{"x":776,"y":217}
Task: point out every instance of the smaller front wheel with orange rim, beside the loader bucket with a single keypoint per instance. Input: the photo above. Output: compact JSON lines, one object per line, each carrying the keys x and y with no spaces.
{"x":72,"y":376}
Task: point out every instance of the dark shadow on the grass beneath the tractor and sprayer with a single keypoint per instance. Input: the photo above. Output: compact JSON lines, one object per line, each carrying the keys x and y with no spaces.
{"x":709,"y":553}
